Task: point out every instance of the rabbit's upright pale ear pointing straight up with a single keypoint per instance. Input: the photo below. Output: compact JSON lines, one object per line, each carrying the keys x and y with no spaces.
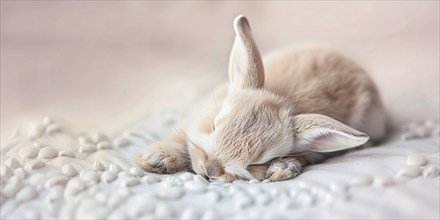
{"x":245,"y":65}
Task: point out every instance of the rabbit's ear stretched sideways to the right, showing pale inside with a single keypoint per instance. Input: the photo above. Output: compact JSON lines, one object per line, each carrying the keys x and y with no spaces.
{"x":320,"y":133}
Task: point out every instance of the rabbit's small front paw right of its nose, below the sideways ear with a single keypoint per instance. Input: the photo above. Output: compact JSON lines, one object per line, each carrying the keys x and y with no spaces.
{"x":280,"y":170}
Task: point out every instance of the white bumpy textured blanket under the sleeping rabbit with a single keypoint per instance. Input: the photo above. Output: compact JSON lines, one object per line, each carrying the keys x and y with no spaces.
{"x":49,"y":172}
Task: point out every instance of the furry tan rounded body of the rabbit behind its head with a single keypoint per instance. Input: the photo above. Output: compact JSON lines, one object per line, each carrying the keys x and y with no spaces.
{"x":321,"y":81}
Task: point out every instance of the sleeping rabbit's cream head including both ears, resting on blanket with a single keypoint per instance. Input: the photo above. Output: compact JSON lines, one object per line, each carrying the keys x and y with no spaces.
{"x":255,"y":126}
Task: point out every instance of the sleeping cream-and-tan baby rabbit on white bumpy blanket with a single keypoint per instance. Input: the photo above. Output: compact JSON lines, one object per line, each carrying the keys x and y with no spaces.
{"x":259,"y":125}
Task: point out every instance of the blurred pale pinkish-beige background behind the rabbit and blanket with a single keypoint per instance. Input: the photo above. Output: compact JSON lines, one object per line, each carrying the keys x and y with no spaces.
{"x":103,"y":65}
